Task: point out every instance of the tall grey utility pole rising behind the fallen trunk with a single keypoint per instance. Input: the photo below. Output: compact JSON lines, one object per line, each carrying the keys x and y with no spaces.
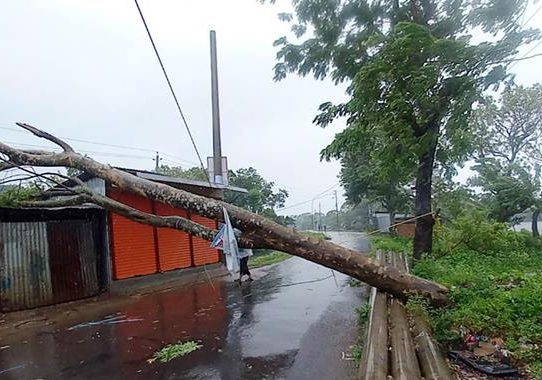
{"x":217,"y":148}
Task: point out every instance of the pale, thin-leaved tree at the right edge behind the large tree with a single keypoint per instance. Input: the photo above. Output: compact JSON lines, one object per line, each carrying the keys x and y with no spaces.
{"x":509,"y":138}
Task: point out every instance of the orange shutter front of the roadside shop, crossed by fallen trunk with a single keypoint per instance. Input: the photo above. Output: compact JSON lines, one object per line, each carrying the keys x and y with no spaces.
{"x":139,"y":249}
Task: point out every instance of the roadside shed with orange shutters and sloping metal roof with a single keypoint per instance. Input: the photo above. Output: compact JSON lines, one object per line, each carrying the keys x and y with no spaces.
{"x":139,"y":249}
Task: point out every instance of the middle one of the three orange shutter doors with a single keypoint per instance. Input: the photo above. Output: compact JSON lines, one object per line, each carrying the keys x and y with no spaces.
{"x":173,"y":245}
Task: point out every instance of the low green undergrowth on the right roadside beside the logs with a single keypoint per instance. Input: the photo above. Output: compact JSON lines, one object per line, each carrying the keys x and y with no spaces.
{"x":495,"y":281}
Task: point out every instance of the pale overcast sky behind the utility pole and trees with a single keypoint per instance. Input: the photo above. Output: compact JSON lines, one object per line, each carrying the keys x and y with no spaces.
{"x":84,"y":69}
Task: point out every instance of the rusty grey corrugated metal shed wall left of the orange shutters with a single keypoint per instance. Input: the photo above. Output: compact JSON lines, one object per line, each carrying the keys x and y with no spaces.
{"x":44,"y":262}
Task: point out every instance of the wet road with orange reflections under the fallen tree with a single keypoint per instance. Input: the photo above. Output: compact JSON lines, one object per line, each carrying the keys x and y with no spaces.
{"x":294,"y":322}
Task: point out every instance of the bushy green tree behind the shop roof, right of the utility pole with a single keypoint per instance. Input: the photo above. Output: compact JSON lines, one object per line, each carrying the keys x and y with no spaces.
{"x":262,"y":198}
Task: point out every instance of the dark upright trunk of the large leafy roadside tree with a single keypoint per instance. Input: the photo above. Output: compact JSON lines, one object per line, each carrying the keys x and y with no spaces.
{"x":423,"y":235}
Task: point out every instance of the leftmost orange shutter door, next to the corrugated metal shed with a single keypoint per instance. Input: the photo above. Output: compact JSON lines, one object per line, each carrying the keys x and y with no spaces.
{"x":133,"y":243}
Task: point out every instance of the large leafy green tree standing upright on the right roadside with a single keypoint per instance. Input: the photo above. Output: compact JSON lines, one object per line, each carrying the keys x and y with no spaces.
{"x":414,"y":73}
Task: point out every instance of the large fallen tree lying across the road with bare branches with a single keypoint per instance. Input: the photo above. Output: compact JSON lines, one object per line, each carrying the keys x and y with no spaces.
{"x":258,"y":232}
